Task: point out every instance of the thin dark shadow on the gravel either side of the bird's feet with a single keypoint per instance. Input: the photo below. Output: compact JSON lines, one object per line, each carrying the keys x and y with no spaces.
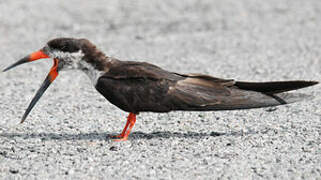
{"x":108,"y":136}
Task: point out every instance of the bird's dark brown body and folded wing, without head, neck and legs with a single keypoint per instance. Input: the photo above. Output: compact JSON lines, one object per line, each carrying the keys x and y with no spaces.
{"x":137,"y":87}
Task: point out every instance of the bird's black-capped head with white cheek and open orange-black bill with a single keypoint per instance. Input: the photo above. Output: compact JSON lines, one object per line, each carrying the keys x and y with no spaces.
{"x":67,"y":53}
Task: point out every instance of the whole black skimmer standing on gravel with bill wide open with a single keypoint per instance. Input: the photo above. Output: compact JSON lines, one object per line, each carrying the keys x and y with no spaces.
{"x":141,"y":87}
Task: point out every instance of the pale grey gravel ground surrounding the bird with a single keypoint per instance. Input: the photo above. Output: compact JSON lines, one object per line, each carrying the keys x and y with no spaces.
{"x":66,"y":134}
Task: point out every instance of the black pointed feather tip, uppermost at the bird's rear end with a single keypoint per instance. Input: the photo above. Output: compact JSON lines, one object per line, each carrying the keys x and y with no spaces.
{"x":274,"y":87}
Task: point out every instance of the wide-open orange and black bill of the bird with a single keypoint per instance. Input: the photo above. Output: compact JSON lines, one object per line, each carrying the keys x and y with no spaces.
{"x":49,"y":79}
